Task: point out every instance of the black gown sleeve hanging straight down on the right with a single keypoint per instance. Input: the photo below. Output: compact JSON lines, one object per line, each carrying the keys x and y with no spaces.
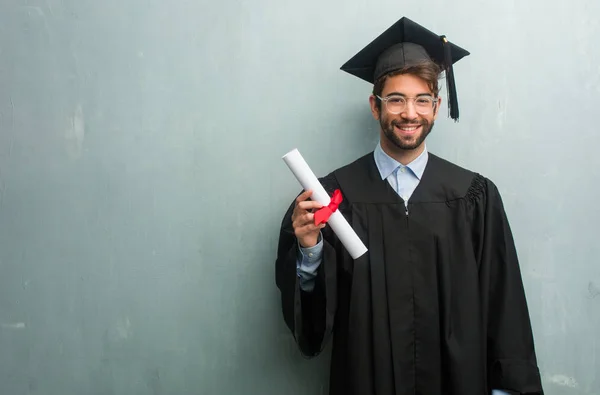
{"x":512,"y":363}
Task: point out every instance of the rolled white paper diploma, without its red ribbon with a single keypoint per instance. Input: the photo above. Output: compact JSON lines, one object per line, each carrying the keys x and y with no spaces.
{"x":338,"y":223}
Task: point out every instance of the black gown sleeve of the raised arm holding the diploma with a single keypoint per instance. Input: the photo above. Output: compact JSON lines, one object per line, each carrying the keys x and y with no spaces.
{"x":308,"y":315}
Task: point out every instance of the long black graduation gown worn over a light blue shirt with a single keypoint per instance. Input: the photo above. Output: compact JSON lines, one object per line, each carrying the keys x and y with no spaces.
{"x":436,"y":306}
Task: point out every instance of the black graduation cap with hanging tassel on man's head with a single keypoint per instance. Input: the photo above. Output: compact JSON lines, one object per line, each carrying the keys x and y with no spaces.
{"x":407,"y":43}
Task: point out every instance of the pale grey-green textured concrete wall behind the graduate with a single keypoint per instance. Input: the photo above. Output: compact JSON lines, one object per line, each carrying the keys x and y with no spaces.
{"x":141,"y":185}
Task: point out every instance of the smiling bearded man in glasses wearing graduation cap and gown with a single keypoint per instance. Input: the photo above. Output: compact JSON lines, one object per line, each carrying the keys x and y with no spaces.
{"x":436,"y":305}
